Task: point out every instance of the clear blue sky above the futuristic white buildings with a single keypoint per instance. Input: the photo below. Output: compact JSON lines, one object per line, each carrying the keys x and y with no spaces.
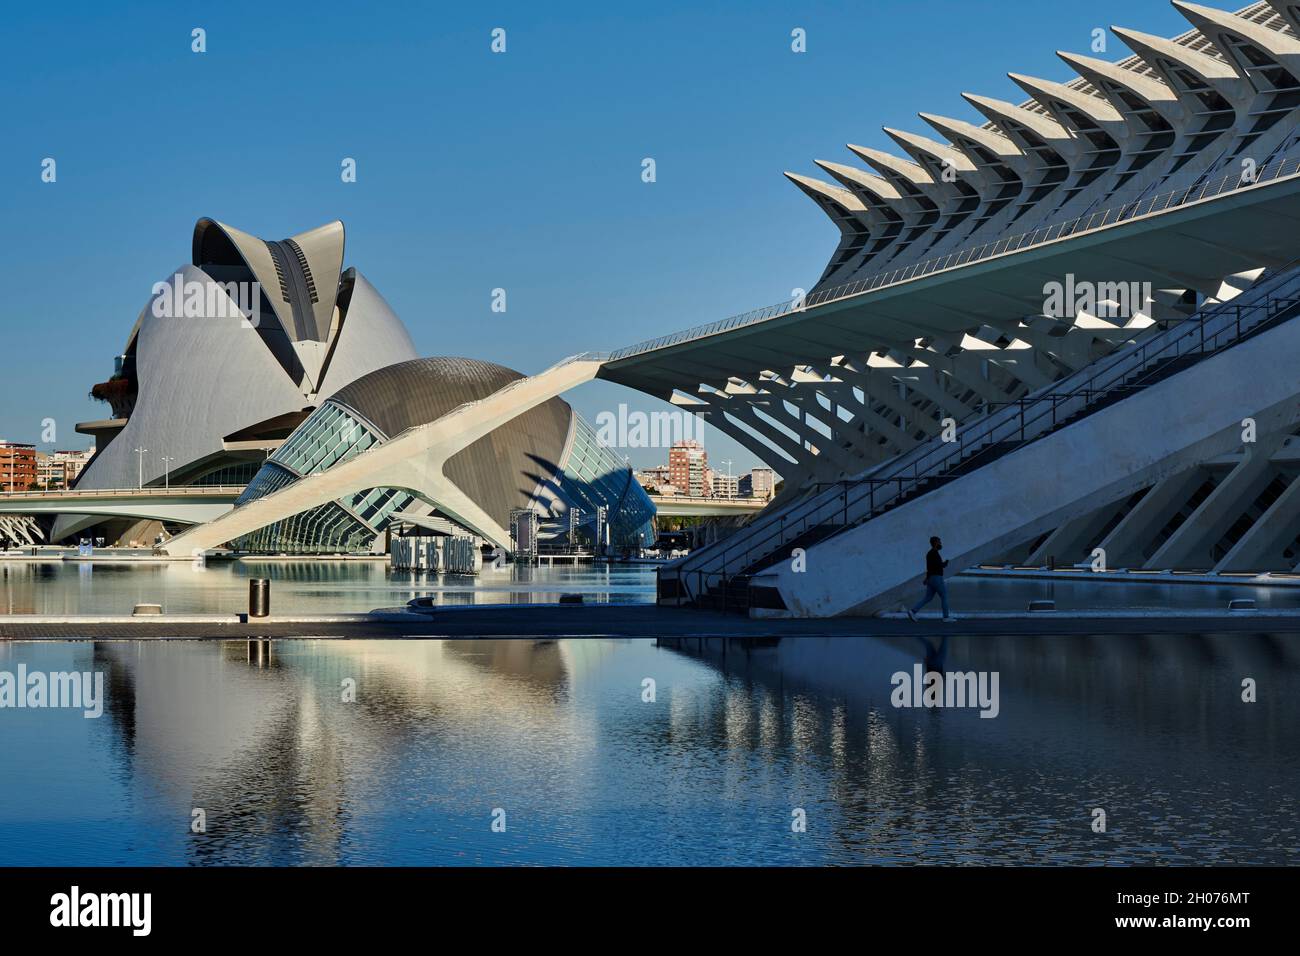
{"x":475,"y":171}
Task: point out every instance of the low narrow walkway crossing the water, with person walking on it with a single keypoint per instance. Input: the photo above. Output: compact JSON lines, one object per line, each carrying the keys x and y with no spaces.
{"x":625,"y":621}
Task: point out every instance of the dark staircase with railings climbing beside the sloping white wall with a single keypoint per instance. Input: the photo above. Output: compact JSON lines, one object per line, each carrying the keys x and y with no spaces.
{"x":720,"y":577}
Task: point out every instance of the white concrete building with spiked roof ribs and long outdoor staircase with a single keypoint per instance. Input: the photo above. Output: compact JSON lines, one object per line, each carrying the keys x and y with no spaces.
{"x":983,"y":356}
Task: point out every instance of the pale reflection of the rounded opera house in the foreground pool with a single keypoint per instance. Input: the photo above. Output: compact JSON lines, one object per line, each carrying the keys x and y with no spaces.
{"x":261,"y":738}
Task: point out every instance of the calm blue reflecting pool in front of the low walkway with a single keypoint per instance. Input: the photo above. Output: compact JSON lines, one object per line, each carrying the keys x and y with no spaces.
{"x":558,"y":741}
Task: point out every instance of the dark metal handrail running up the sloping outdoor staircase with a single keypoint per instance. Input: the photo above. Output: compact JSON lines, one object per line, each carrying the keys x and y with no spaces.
{"x":1021,"y":419}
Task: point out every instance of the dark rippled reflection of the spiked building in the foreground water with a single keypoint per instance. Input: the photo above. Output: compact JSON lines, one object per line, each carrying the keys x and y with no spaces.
{"x":1151,"y":728}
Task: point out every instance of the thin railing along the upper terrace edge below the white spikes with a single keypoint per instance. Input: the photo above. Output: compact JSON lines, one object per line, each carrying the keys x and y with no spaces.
{"x":1272,"y":171}
